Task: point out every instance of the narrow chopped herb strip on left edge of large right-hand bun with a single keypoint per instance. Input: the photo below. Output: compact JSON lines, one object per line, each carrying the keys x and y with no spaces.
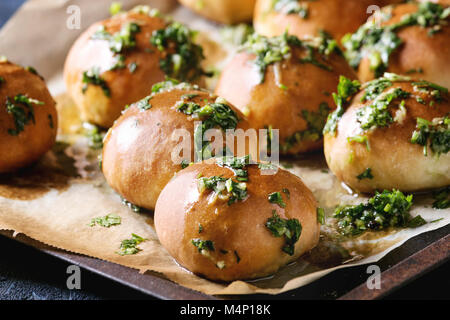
{"x":345,"y":91}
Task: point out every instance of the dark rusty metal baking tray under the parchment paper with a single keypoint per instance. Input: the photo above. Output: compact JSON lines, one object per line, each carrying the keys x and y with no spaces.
{"x":401,"y":266}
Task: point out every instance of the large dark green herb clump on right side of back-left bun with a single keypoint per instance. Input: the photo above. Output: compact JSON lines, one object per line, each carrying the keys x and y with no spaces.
{"x":184,"y":63}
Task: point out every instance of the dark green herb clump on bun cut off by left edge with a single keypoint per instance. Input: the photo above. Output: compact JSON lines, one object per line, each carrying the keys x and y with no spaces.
{"x":21,"y":109}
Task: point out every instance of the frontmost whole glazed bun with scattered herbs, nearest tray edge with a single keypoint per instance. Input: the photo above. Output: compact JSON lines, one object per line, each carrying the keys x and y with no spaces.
{"x":227,"y":221}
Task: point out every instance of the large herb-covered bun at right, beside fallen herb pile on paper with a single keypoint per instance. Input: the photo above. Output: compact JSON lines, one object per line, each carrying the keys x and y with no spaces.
{"x":395,"y":134}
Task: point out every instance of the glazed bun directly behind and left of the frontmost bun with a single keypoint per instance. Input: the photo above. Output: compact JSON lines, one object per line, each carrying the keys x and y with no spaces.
{"x":143,"y":150}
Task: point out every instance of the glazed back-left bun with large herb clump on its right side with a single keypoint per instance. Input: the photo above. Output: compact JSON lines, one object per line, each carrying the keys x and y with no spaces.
{"x":118,"y":60}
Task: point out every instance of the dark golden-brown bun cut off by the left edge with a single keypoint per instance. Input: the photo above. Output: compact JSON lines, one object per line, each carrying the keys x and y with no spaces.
{"x":17,"y":151}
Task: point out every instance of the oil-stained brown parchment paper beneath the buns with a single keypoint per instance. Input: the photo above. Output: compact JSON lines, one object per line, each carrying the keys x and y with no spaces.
{"x":55,"y":200}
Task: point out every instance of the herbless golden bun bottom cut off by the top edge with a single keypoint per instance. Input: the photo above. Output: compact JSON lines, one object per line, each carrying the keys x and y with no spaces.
{"x":224,"y":11}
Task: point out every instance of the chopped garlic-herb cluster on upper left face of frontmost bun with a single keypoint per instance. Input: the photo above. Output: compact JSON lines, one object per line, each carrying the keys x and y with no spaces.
{"x":225,"y":189}
